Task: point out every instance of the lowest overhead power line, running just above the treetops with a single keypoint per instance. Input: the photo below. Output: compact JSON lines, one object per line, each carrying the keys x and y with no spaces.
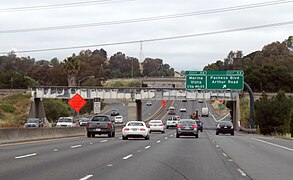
{"x":157,"y":39}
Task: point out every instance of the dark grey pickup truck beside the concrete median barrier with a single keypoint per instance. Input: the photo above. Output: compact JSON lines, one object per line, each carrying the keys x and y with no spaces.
{"x":100,"y":124}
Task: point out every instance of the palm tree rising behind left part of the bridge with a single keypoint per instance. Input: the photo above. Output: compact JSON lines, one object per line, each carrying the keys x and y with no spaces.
{"x":71,"y":68}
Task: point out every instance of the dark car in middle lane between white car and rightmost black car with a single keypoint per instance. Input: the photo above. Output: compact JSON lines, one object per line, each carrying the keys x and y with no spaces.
{"x":187,"y":127}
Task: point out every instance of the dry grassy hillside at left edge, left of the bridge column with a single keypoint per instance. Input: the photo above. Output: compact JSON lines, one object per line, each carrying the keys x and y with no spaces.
{"x":14,"y":109}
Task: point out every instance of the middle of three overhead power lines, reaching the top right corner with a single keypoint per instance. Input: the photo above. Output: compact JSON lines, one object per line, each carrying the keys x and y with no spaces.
{"x":154,"y":18}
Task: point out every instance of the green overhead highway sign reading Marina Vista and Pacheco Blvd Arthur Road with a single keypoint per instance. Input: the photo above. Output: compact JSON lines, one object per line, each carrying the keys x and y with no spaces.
{"x":214,"y":80}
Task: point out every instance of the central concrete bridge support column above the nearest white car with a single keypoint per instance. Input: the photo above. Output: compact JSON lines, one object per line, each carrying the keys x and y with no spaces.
{"x":134,"y":110}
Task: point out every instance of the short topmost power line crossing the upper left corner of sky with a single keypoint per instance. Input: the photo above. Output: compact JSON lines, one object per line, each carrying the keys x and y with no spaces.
{"x":62,"y":5}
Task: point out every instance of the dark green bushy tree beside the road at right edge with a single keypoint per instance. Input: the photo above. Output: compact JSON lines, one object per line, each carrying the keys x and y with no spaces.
{"x":273,"y":115}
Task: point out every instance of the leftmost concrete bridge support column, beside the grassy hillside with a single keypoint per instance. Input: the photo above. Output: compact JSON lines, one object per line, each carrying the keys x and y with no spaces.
{"x":37,"y":109}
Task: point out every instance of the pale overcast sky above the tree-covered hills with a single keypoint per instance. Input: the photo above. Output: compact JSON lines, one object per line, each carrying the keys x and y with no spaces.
{"x":192,"y":53}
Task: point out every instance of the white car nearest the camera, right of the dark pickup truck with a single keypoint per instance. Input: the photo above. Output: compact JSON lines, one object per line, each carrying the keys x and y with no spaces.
{"x":135,"y":129}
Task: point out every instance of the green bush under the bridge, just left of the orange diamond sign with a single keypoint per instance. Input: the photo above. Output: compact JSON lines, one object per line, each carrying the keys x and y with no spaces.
{"x":55,"y":109}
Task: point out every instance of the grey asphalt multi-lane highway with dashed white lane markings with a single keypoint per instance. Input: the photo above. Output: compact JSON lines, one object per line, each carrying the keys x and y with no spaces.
{"x":241,"y":156}
